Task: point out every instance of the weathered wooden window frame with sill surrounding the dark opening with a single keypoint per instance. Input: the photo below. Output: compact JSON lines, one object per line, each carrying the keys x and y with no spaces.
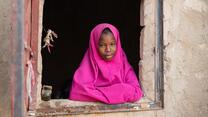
{"x":68,"y":107}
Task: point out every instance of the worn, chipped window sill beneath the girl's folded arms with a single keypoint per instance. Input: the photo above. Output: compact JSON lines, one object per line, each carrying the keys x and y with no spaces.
{"x":69,"y":107}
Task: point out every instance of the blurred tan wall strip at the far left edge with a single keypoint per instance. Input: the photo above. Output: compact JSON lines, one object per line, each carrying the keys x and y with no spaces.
{"x":5,"y":58}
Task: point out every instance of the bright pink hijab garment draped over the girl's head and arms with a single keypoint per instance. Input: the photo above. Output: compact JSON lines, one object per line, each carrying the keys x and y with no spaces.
{"x":111,"y":82}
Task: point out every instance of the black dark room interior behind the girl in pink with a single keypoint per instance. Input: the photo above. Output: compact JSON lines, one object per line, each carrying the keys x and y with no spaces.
{"x":73,"y":21}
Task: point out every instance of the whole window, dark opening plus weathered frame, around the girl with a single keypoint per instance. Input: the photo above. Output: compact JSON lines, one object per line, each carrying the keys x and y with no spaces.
{"x":82,"y":20}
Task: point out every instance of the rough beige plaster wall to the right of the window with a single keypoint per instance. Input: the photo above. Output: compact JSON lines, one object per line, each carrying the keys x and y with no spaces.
{"x":186,"y":58}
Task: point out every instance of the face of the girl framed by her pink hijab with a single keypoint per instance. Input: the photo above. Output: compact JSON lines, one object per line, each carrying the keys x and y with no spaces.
{"x":107,"y":46}
